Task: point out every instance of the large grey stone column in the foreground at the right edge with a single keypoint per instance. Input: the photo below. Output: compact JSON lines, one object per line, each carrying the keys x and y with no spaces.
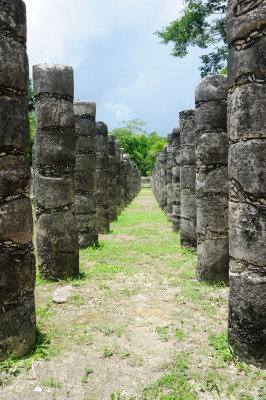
{"x":247,"y":173}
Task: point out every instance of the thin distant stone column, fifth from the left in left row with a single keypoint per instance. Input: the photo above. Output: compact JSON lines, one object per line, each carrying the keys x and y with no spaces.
{"x":112,"y":178}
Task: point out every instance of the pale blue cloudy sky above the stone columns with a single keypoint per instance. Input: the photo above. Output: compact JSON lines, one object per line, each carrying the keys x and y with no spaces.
{"x":118,"y":62}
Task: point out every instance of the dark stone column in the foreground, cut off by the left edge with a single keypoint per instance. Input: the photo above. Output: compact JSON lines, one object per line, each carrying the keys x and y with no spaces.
{"x":17,"y":262}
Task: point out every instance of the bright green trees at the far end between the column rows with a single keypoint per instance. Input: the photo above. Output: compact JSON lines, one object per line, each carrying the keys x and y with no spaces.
{"x":141,"y":146}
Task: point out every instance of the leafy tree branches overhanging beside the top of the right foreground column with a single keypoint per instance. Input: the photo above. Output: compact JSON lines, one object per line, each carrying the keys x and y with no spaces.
{"x":201,"y":24}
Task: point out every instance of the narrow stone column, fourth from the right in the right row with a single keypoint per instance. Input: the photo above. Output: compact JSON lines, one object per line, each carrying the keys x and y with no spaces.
{"x":176,"y":218}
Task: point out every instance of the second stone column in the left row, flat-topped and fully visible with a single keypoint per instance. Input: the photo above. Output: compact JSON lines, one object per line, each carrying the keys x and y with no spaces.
{"x":54,"y":163}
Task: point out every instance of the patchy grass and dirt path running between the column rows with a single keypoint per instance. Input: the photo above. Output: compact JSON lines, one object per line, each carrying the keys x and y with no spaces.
{"x":137,"y":325}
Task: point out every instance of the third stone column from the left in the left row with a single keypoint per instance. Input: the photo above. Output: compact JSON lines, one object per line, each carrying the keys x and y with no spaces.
{"x":85,"y":173}
